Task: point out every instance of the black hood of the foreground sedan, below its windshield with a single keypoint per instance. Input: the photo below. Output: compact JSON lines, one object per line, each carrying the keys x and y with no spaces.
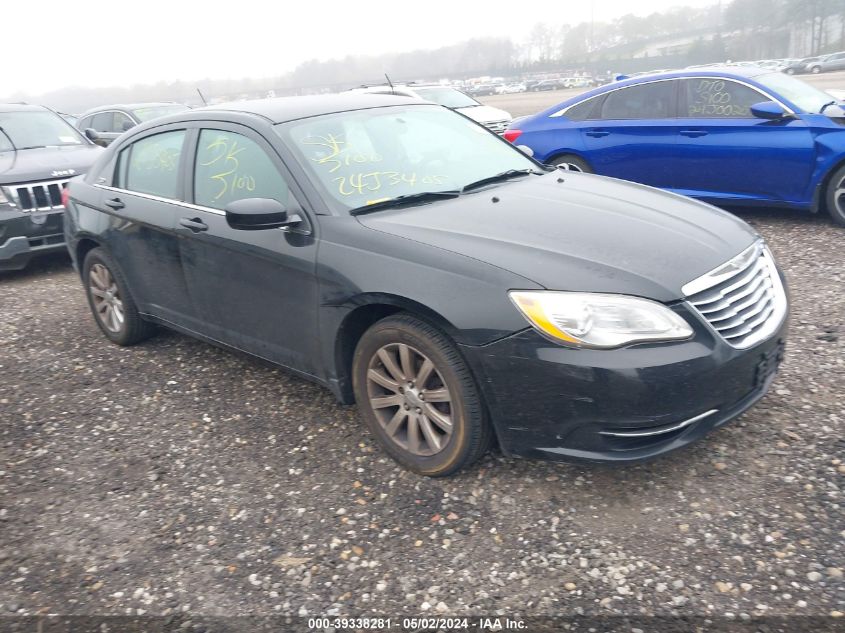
{"x":588,"y":233}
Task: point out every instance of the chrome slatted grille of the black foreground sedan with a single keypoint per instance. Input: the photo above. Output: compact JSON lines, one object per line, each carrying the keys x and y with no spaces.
{"x":743,"y":300}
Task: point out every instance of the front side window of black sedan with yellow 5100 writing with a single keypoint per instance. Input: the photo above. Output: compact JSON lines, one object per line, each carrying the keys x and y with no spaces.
{"x":230,"y":167}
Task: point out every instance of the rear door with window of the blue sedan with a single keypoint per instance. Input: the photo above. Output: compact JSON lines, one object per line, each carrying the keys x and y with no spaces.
{"x":633,"y":132}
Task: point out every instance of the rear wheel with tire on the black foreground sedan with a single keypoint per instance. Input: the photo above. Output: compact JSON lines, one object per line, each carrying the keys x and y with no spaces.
{"x":111,"y":302}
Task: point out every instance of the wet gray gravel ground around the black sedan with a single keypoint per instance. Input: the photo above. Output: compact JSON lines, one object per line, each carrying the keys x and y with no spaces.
{"x":175,"y":477}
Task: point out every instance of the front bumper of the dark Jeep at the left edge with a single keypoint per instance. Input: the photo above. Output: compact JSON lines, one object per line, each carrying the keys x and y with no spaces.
{"x":24,"y":235}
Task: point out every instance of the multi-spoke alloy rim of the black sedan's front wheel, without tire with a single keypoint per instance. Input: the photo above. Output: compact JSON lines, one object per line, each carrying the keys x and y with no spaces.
{"x":410,"y":399}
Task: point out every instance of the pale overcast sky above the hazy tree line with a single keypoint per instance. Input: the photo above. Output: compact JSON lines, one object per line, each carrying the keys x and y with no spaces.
{"x":112,"y":43}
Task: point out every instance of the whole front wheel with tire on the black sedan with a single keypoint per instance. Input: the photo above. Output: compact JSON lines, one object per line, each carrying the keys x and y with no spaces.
{"x":409,"y":428}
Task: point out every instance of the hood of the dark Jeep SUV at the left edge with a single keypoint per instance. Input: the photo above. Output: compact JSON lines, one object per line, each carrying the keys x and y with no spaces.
{"x":28,"y":165}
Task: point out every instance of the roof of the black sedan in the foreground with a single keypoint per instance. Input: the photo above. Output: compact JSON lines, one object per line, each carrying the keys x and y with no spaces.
{"x":282,"y":109}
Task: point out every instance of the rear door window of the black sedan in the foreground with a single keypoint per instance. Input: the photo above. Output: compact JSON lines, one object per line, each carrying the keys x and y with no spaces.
{"x":151,"y":165}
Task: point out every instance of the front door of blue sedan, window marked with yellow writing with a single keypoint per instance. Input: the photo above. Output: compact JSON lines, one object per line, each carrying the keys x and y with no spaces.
{"x":726,"y":153}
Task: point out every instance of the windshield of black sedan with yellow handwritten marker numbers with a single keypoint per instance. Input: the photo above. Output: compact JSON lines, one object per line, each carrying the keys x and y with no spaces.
{"x":367,"y":156}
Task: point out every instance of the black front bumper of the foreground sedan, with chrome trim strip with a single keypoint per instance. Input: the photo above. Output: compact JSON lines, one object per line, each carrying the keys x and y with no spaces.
{"x":632,"y":404}
